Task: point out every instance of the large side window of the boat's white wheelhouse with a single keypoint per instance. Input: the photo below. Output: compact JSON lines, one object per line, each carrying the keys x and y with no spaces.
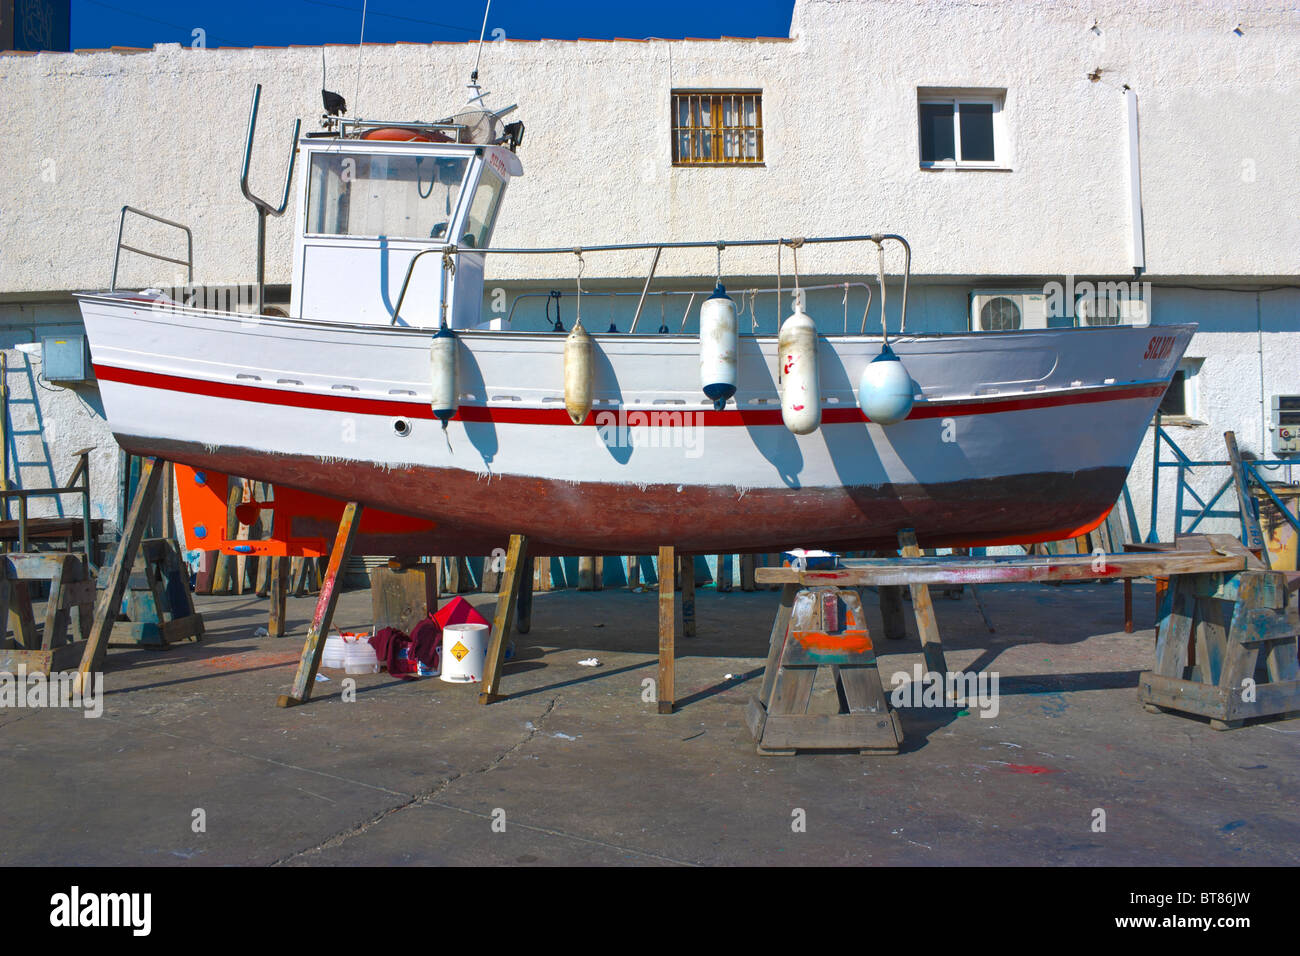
{"x":398,"y":197}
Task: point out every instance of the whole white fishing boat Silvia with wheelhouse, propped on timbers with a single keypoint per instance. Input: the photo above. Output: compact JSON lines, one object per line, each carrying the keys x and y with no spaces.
{"x":385,"y":386}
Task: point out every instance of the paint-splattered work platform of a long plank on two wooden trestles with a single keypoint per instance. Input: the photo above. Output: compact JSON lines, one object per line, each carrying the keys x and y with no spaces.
{"x":1227,"y":642}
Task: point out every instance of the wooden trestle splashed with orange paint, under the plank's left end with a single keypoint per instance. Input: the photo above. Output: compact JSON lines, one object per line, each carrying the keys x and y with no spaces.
{"x":820,"y":639}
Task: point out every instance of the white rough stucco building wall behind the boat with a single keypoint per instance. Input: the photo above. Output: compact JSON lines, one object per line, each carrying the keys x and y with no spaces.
{"x":164,"y":131}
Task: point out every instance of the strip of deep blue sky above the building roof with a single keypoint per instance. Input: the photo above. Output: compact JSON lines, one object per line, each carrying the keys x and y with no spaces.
{"x":279,"y":23}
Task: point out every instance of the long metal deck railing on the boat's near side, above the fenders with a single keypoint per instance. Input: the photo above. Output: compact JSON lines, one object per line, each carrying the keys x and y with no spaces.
{"x":450,"y":253}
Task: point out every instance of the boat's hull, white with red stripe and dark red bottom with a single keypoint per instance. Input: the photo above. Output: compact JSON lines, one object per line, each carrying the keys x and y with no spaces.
{"x":1017,"y":436}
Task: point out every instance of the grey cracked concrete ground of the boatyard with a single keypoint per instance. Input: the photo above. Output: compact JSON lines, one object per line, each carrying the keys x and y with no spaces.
{"x":580,"y":769}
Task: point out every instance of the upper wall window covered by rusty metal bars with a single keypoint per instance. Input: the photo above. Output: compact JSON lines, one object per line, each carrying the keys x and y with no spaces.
{"x":717,"y":128}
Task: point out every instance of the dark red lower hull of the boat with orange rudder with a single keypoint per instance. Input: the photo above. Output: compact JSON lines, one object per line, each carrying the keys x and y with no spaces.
{"x":450,"y":512}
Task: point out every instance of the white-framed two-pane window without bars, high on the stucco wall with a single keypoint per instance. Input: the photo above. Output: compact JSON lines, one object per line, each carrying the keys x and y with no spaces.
{"x":963,"y":129}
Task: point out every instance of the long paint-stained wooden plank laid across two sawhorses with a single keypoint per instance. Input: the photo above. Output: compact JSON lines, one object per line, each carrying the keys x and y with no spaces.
{"x":861,"y":573}
